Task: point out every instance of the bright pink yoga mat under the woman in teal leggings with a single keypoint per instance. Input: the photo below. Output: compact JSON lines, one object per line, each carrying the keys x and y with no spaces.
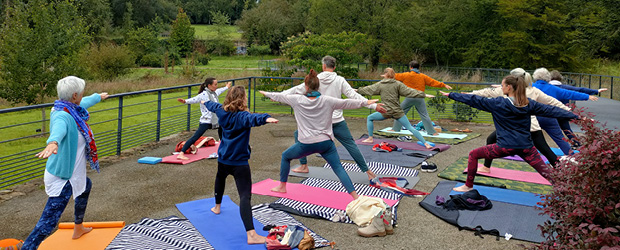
{"x":313,"y":195}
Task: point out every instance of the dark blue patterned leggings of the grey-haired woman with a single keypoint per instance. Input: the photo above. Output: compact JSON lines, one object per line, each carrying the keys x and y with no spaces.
{"x":52,"y":211}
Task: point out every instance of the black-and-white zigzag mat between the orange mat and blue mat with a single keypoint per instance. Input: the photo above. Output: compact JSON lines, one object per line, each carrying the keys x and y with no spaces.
{"x":167,"y":233}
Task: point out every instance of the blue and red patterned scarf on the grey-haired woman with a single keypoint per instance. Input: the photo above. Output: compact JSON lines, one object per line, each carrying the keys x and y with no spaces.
{"x":81,"y":116}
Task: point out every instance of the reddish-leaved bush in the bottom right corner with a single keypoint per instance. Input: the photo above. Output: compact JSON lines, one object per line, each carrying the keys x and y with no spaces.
{"x":585,"y":201}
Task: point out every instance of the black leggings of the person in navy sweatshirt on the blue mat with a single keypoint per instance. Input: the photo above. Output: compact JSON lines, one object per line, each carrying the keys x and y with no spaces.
{"x":243,"y":178}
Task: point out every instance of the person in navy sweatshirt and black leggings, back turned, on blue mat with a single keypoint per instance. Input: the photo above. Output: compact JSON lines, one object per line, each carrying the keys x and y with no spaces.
{"x":234,"y":153}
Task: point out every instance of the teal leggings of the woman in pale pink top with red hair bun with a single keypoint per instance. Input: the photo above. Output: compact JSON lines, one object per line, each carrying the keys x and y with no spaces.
{"x":327,"y":149}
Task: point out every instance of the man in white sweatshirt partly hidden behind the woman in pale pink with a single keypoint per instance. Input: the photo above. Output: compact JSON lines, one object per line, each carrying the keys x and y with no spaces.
{"x":335,"y":86}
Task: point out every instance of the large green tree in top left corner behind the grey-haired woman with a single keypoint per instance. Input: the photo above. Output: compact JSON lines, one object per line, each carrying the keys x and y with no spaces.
{"x":39,"y":44}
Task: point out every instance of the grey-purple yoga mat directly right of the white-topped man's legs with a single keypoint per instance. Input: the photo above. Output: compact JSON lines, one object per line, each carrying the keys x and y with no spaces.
{"x":394,"y":157}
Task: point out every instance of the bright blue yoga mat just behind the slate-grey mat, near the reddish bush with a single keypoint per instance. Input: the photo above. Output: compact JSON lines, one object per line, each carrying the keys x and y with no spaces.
{"x":504,"y":195}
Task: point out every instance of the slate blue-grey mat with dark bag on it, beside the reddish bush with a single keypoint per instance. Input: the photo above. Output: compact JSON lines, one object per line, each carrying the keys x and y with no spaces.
{"x":520,"y":221}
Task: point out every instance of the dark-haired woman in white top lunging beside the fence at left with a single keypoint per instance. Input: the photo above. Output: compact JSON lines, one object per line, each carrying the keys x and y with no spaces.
{"x":208,"y":91}
